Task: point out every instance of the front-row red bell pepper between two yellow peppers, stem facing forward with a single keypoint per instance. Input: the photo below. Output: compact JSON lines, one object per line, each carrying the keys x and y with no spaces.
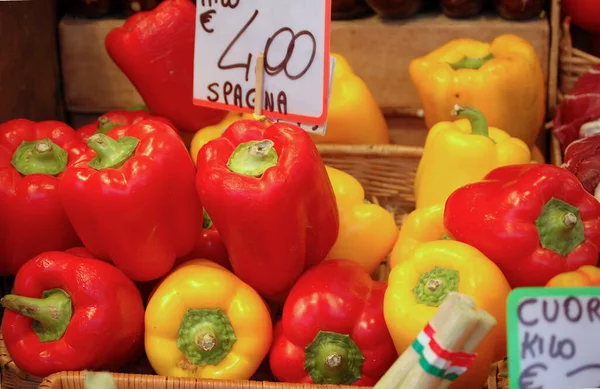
{"x":332,"y":330}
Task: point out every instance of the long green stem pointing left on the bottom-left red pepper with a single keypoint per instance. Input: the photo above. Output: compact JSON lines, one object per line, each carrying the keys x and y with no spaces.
{"x":51,"y":314}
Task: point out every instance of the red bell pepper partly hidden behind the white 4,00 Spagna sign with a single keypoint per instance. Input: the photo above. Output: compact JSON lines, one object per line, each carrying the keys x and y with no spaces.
{"x":155,"y":50}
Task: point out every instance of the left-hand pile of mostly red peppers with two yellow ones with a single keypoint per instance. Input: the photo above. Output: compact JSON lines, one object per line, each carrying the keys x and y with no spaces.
{"x":139,"y":234}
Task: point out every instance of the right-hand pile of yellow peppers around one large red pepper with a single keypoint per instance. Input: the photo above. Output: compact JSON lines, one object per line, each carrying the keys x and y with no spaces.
{"x":487,"y":221}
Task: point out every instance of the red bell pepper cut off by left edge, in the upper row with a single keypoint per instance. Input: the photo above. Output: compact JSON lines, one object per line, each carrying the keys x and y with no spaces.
{"x":32,"y":159}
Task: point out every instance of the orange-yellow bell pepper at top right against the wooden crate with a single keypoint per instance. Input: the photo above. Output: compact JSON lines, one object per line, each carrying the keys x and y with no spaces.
{"x":503,"y":79}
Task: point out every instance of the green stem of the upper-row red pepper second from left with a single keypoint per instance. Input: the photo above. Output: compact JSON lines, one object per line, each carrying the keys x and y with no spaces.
{"x":111,"y":153}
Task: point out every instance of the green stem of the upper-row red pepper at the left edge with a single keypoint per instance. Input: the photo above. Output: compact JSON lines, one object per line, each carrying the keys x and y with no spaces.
{"x":40,"y":157}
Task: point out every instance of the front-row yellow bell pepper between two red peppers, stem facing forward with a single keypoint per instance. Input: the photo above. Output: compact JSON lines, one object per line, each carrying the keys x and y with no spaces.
{"x":204,"y":322}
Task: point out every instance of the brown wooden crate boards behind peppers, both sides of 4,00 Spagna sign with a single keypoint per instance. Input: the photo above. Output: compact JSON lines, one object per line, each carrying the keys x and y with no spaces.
{"x":379,"y":51}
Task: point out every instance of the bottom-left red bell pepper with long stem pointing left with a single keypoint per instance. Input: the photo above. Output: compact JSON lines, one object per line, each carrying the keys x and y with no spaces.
{"x":72,"y":313}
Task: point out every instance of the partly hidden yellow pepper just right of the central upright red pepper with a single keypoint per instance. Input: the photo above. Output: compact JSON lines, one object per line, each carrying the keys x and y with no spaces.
{"x":367,"y":231}
